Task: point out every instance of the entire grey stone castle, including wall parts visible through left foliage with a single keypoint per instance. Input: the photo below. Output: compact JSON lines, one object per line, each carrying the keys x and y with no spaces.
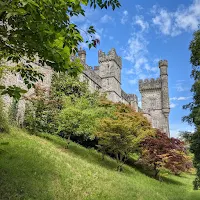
{"x":106,"y":78}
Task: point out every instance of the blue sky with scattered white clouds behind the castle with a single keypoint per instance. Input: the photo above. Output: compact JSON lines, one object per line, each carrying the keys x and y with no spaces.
{"x":143,"y":32}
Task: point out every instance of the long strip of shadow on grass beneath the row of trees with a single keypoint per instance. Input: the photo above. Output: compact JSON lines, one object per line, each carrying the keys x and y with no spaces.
{"x":94,"y":157}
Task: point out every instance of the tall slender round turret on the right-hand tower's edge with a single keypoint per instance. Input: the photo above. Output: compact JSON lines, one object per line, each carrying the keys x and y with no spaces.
{"x":163,"y":65}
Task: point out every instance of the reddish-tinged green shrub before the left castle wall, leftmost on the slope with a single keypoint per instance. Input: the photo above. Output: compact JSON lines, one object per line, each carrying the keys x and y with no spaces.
{"x":41,"y":112}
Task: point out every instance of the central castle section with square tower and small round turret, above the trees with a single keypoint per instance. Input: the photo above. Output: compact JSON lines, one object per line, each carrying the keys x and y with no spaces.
{"x":107,"y":77}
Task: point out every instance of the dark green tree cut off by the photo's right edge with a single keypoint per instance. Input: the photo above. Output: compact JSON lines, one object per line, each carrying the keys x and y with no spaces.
{"x":194,"y":106}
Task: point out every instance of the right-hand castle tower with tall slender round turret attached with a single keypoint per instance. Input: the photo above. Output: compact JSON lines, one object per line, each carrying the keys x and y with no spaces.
{"x":155,"y":99}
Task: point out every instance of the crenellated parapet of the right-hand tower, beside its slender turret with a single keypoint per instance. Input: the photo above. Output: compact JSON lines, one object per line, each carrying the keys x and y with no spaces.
{"x":150,"y":84}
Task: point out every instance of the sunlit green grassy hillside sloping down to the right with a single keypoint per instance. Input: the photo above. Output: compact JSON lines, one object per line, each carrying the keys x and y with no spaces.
{"x":33,"y":167}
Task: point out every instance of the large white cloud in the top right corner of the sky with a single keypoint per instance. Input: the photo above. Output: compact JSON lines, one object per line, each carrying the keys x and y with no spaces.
{"x":174,"y":23}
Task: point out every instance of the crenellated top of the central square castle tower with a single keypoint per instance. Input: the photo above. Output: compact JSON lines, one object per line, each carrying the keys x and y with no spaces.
{"x":111,"y":56}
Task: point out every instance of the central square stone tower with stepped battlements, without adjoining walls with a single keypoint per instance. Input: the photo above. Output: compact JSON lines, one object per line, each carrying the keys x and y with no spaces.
{"x":110,"y":71}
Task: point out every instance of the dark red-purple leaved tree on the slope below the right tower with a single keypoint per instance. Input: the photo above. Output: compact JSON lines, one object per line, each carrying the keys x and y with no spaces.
{"x":161,"y":151}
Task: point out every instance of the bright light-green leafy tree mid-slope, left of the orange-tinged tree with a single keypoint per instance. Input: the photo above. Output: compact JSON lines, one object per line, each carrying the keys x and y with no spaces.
{"x":80,"y":116}
